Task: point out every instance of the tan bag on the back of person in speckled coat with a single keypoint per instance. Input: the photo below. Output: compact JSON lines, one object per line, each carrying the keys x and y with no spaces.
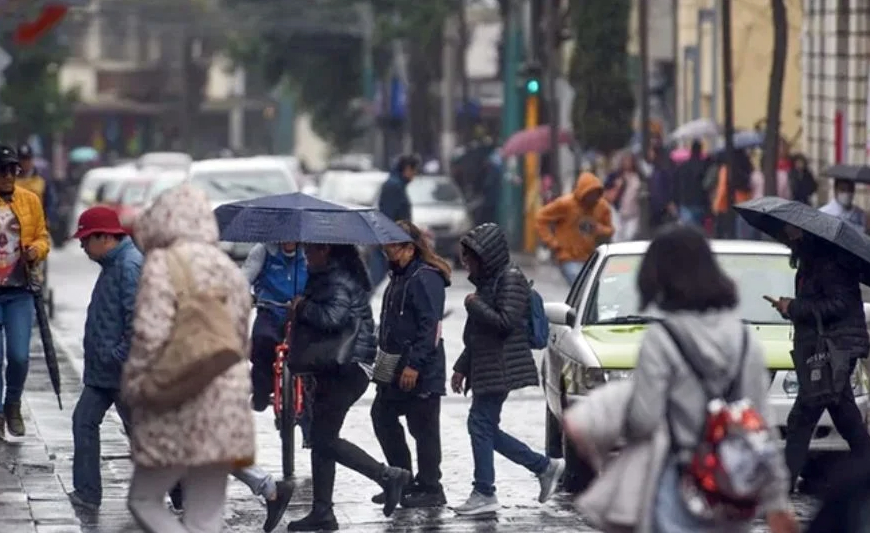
{"x":204,"y":344}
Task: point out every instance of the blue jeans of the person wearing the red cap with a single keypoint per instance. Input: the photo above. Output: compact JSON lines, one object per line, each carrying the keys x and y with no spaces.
{"x":90,"y":410}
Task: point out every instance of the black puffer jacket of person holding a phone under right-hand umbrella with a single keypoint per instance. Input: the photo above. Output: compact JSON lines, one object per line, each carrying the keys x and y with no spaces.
{"x":826,"y":284}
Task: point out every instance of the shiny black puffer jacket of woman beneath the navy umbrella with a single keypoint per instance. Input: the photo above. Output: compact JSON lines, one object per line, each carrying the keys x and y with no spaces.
{"x":335,"y":296}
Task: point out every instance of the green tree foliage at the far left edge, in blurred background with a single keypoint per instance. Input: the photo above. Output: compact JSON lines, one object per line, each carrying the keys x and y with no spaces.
{"x":32,"y":90}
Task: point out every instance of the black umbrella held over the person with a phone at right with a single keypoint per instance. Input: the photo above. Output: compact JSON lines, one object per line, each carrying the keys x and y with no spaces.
{"x":770,"y":214}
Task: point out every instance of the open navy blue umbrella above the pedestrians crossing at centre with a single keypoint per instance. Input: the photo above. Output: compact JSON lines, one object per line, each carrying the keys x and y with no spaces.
{"x":298,"y":217}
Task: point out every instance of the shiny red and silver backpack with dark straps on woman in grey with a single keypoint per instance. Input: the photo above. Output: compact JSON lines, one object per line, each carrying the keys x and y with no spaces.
{"x":733,"y":460}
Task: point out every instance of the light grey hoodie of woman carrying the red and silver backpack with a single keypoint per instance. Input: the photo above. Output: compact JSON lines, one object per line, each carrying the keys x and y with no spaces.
{"x":665,"y":385}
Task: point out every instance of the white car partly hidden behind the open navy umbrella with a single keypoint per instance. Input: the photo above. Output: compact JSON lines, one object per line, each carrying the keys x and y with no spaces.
{"x":234,"y":179}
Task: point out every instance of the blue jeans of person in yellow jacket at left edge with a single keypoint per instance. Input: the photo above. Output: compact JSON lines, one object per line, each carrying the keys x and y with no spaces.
{"x":16,"y":319}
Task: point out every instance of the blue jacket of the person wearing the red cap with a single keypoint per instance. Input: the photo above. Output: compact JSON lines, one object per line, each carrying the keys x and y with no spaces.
{"x":109,"y":324}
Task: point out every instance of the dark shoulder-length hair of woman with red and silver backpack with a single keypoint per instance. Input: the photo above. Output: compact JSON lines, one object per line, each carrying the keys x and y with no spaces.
{"x":680,"y":273}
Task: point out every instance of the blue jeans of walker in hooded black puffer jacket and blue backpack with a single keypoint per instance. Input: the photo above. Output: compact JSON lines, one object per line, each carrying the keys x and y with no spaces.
{"x":486,"y":438}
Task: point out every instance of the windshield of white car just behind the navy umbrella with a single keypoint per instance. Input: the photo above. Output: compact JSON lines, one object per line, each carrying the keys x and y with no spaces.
{"x":242,"y":184}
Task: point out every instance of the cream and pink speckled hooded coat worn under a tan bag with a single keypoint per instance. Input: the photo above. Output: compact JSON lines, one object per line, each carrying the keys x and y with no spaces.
{"x":216,"y":426}
